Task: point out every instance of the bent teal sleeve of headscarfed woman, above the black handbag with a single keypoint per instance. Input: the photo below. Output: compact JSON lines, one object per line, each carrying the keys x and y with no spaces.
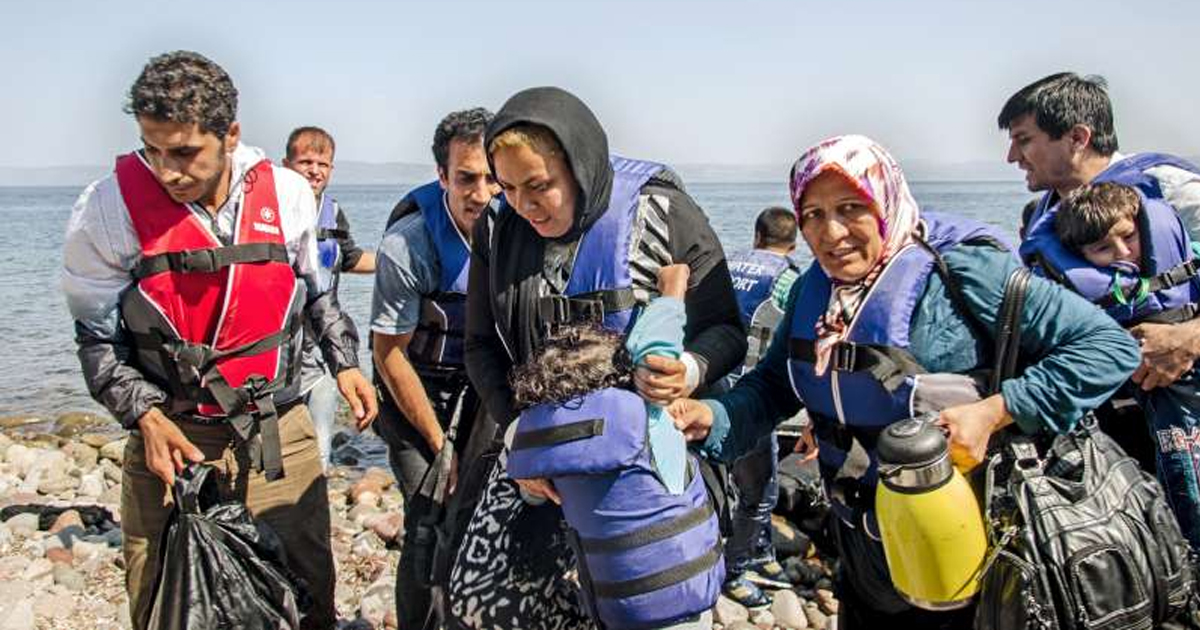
{"x":1075,"y":357}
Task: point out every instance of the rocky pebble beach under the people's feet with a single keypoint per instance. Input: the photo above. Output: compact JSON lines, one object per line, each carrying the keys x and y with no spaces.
{"x":62,"y":565}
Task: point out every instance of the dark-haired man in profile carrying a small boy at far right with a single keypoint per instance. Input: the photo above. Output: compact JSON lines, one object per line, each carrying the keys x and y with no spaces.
{"x":1063,"y":136}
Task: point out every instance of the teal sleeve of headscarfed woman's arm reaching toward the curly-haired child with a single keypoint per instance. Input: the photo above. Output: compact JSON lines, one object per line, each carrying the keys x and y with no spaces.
{"x":761,"y":400}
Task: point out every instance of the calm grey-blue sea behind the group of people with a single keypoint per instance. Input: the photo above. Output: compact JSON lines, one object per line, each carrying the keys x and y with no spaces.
{"x":39,"y":371}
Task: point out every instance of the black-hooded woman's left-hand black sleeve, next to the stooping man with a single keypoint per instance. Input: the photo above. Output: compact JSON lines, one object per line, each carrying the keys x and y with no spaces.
{"x":488,"y":361}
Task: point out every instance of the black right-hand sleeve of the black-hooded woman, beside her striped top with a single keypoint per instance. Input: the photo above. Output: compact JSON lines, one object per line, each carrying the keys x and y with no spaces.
{"x":715,"y":332}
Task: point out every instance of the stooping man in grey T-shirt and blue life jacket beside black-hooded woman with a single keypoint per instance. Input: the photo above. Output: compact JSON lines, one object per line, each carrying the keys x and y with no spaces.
{"x":417,"y":326}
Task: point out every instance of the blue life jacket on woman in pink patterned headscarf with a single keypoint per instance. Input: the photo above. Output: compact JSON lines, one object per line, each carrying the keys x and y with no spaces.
{"x":873,"y":379}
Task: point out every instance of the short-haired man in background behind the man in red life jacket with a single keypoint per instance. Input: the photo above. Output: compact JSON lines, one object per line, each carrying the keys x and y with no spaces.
{"x":310,"y":153}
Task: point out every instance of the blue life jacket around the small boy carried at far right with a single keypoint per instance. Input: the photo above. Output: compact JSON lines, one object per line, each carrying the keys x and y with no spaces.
{"x":1166,"y":291}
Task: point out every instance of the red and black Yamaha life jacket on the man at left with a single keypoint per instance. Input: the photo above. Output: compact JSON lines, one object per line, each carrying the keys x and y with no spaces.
{"x":211,"y":322}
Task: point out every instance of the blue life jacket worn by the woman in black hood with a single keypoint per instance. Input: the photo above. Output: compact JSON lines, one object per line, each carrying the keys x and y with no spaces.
{"x":601,"y":287}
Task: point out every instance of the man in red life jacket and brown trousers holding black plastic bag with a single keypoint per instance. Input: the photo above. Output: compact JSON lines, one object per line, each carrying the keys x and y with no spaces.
{"x":188,"y":273}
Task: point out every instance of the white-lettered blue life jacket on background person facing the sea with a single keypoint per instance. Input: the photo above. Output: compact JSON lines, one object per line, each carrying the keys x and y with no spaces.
{"x":754,"y":274}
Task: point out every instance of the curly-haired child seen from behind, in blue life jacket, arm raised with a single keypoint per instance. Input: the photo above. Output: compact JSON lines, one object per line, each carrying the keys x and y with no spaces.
{"x":645,"y":533}
